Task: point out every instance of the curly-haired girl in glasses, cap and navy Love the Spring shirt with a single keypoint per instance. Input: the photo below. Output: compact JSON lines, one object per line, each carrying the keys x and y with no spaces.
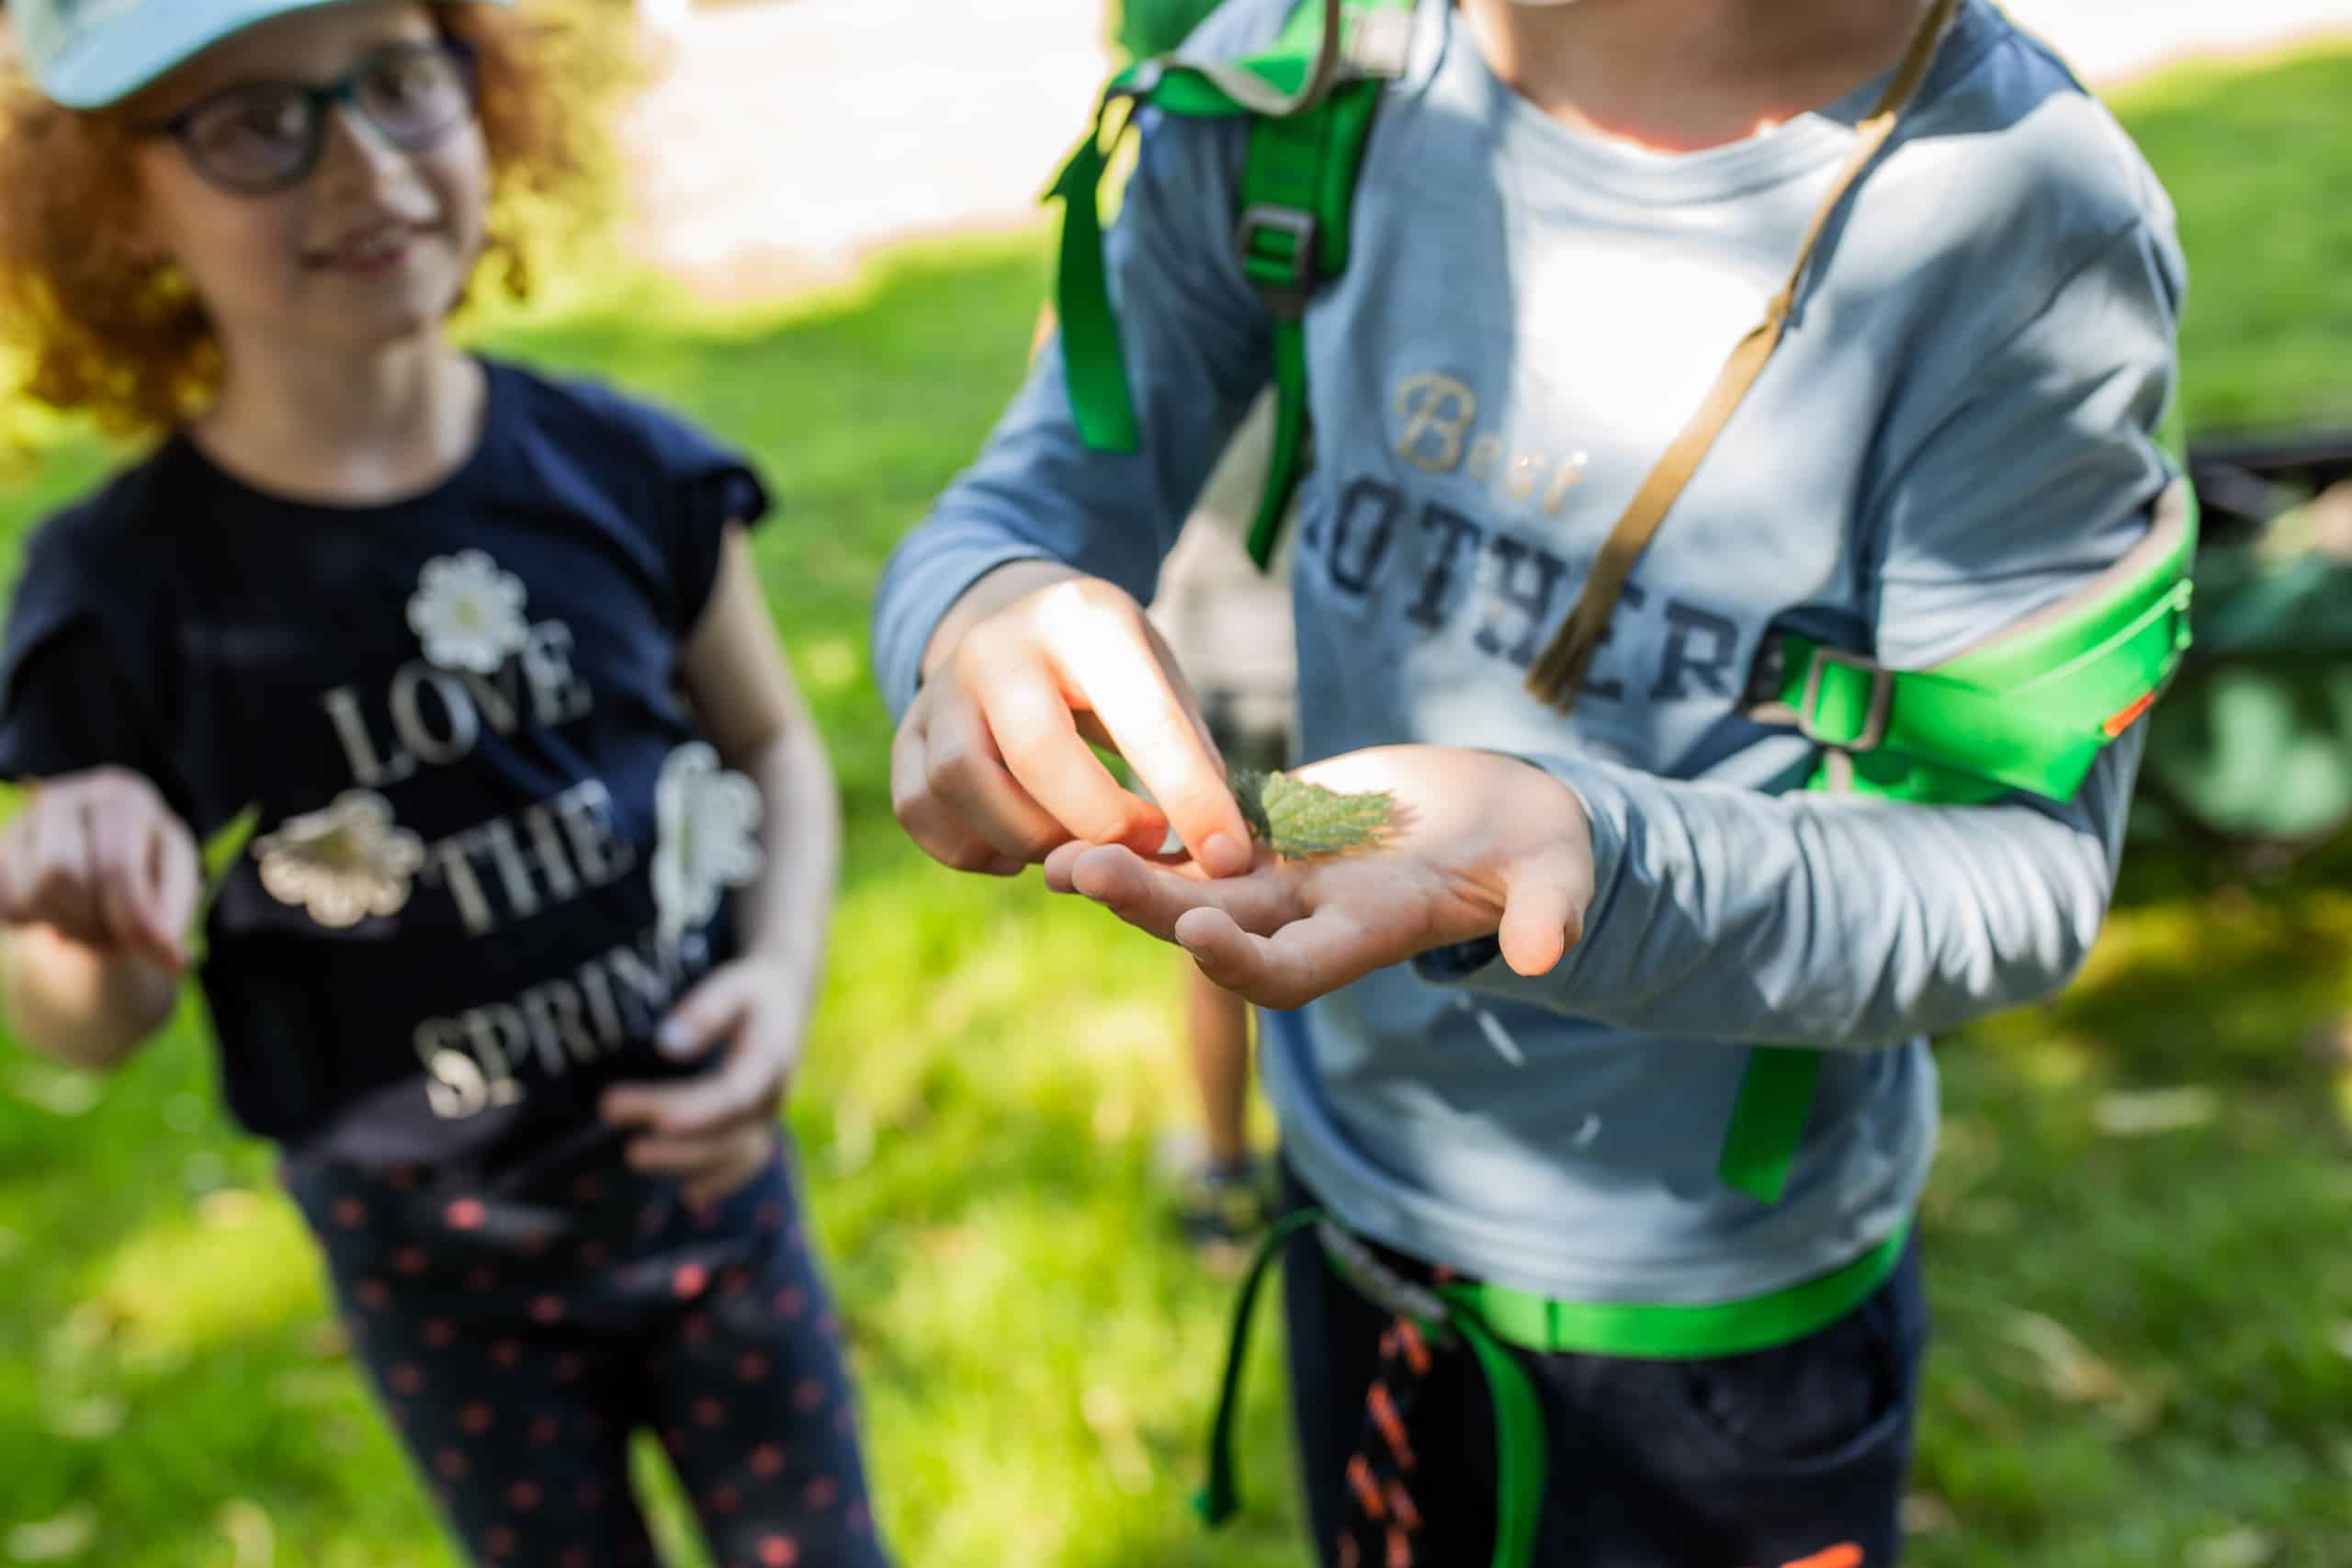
{"x":521,"y":951}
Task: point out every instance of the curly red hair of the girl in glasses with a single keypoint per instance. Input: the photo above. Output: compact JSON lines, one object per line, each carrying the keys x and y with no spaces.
{"x":105,"y":330}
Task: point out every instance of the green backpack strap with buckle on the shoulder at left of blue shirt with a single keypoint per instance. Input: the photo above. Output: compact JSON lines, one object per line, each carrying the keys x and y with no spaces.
{"x":1311,"y":102}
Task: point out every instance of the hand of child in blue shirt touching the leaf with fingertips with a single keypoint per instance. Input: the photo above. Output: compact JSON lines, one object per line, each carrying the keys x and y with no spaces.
{"x":991,"y":765}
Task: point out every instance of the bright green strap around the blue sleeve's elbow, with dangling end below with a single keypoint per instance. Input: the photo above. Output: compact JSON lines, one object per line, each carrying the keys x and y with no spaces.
{"x":2029,"y":711}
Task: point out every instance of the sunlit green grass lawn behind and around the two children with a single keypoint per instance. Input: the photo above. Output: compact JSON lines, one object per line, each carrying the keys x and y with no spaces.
{"x":2146,"y":1334}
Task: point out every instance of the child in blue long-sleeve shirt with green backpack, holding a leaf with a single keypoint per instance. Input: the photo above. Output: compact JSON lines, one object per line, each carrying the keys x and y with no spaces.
{"x":1601,"y":1050}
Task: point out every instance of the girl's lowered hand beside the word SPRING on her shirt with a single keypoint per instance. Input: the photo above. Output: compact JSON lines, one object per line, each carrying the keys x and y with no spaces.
{"x":716,"y":1132}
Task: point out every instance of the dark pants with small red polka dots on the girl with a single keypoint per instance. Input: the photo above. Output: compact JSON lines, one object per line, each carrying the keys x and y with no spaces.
{"x":519,"y":1336}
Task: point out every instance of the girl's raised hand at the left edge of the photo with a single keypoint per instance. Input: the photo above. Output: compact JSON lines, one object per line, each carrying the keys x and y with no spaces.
{"x":102,"y":859}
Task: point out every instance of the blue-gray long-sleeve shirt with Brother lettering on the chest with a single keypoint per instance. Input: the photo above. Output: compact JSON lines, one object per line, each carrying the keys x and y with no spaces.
{"x":1956,"y":434}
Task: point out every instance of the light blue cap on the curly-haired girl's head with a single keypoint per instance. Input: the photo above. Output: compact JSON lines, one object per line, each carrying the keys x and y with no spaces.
{"x":98,"y":53}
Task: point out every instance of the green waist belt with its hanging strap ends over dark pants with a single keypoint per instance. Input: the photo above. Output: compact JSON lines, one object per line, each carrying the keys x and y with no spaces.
{"x":1492,"y":1320}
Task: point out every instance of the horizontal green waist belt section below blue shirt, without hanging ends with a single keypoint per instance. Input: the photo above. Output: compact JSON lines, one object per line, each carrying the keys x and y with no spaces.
{"x":1638,"y":1329}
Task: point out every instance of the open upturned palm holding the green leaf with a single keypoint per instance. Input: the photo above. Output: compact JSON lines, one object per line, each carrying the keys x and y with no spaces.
{"x":1481,"y":845}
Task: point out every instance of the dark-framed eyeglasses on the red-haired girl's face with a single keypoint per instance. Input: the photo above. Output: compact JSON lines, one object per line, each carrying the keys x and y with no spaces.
{"x":269,"y":138}
